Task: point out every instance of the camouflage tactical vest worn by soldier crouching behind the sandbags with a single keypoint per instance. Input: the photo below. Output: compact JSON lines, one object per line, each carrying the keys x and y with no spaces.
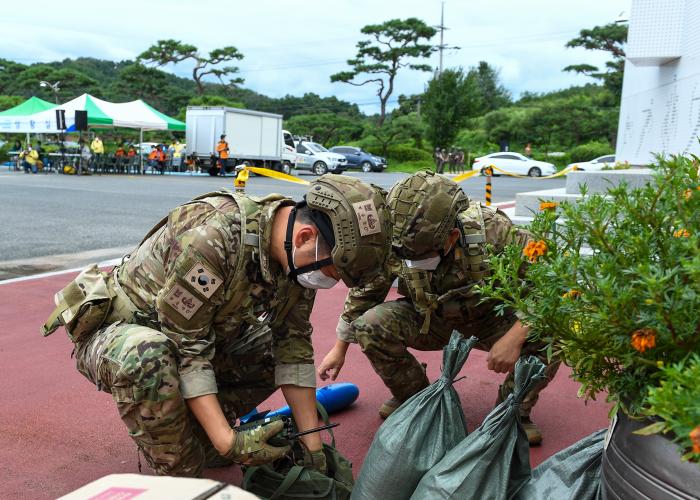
{"x":470,"y":257}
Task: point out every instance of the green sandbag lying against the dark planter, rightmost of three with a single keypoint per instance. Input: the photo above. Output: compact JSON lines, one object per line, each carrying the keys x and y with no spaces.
{"x":573,"y":473}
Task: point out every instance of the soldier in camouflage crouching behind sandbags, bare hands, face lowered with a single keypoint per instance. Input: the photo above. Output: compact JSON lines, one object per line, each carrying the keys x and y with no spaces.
{"x":440,"y":252}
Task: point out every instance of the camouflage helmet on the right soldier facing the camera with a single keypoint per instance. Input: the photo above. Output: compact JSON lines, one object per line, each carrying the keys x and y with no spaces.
{"x":424,"y":210}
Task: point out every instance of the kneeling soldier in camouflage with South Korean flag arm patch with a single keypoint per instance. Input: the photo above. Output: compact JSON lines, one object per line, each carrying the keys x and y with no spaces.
{"x":210,"y":314}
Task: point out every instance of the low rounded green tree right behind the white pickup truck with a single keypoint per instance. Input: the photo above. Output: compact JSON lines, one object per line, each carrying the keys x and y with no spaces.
{"x":326,"y":128}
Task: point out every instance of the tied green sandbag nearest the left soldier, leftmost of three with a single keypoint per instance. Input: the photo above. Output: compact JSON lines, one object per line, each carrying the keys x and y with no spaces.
{"x":417,"y":435}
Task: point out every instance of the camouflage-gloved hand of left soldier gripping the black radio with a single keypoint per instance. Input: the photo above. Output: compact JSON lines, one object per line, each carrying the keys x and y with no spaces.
{"x":250,"y":446}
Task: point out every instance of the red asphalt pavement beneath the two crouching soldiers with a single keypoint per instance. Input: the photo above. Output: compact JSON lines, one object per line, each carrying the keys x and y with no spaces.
{"x":57,"y":432}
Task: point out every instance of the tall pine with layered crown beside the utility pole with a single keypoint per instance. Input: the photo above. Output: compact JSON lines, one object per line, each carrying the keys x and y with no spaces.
{"x":393,"y":45}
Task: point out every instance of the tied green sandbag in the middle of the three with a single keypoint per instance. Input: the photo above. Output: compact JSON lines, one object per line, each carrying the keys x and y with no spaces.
{"x":493,"y":462}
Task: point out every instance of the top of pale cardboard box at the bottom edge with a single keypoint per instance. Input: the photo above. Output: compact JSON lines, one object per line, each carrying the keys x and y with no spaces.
{"x":140,"y":487}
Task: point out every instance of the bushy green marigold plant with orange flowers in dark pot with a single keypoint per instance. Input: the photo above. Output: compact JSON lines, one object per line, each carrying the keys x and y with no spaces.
{"x":631,"y":260}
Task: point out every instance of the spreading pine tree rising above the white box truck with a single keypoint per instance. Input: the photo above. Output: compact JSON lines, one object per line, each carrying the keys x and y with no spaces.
{"x":174,"y":51}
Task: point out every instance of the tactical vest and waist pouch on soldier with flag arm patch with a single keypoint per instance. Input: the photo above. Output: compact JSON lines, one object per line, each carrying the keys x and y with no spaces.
{"x":83,"y":305}
